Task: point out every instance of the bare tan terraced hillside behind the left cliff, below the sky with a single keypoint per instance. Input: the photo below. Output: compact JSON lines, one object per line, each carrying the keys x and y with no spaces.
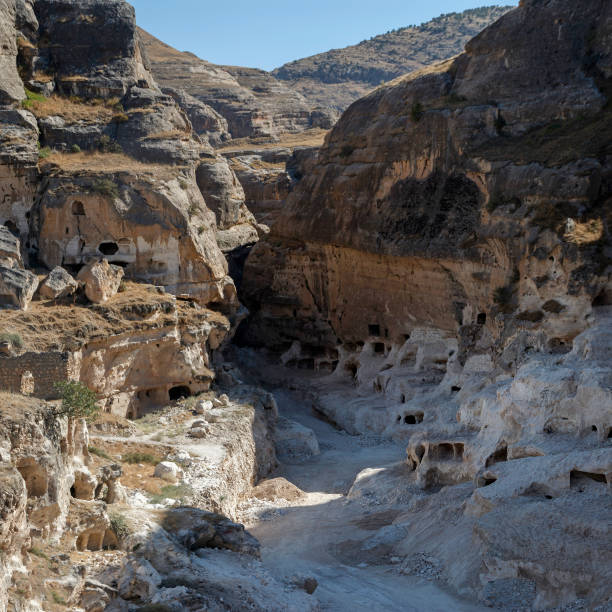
{"x":252,"y":101}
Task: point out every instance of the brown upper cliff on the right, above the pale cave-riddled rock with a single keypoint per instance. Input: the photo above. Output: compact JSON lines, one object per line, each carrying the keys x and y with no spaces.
{"x":462,"y":194}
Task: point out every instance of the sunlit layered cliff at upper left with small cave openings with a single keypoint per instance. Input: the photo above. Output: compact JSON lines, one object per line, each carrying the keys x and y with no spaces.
{"x":122,"y":174}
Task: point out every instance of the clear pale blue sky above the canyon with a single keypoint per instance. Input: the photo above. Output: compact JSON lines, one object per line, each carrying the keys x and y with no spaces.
{"x":268,"y":33}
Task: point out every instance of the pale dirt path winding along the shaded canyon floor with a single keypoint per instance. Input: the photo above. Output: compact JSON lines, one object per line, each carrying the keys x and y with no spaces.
{"x":323,"y":537}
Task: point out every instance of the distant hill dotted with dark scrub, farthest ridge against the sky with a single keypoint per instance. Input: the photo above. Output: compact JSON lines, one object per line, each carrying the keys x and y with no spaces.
{"x":338,"y":77}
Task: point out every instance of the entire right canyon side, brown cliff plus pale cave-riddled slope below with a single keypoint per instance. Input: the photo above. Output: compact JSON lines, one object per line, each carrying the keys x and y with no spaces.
{"x":449,"y":254}
